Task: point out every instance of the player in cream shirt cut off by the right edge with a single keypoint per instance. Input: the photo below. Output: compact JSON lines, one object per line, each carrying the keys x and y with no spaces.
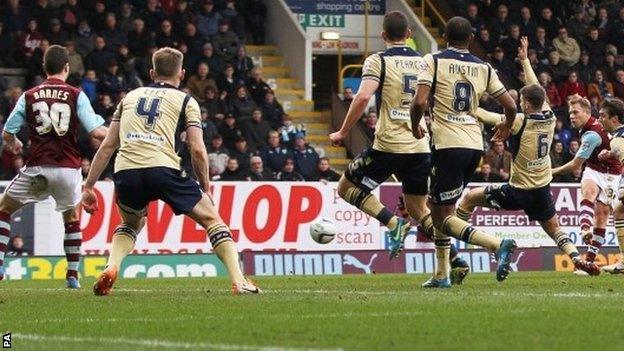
{"x":612,"y":119}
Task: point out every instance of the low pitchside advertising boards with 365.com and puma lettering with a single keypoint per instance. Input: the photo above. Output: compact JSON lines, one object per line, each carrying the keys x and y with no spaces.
{"x":293,"y":263}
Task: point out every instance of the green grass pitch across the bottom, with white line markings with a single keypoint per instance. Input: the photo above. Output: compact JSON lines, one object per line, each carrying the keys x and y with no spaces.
{"x":529,"y":311}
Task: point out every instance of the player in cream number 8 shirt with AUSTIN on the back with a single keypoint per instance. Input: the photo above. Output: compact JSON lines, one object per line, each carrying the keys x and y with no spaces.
{"x":455,"y":80}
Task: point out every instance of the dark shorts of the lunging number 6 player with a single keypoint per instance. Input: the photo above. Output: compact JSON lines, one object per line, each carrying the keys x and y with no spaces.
{"x":538,"y":203}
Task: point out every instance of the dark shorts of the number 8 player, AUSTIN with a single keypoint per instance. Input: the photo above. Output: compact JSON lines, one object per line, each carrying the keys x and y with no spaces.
{"x":452,"y":170}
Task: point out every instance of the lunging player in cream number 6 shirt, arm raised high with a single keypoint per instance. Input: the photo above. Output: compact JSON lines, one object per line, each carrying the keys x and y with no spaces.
{"x":529,"y":185}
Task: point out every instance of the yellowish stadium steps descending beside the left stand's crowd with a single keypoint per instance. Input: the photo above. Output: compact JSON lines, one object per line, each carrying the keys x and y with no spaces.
{"x":277,"y":74}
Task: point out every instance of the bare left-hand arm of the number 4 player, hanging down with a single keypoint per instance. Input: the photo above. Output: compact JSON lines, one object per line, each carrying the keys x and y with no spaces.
{"x":98,"y":165}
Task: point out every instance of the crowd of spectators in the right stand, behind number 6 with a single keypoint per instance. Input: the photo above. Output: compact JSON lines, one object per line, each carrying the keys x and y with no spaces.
{"x":575,"y":47}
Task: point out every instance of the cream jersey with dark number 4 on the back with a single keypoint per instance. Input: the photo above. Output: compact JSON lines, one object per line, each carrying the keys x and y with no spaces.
{"x":148,"y":120}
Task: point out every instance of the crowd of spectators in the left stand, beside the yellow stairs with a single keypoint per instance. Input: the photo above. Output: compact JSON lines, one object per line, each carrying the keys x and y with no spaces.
{"x":110,"y":45}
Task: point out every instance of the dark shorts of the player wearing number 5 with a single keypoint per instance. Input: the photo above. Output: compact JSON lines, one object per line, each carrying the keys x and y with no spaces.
{"x":373,"y":167}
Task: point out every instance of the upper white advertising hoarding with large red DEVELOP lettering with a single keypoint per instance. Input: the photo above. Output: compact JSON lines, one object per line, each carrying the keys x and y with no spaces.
{"x":276,"y":216}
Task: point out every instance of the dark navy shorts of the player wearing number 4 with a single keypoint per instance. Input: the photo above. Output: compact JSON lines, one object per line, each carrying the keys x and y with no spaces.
{"x":135,"y":188}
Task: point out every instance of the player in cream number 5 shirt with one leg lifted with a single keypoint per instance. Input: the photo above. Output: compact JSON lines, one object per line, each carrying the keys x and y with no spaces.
{"x":391,"y":76}
